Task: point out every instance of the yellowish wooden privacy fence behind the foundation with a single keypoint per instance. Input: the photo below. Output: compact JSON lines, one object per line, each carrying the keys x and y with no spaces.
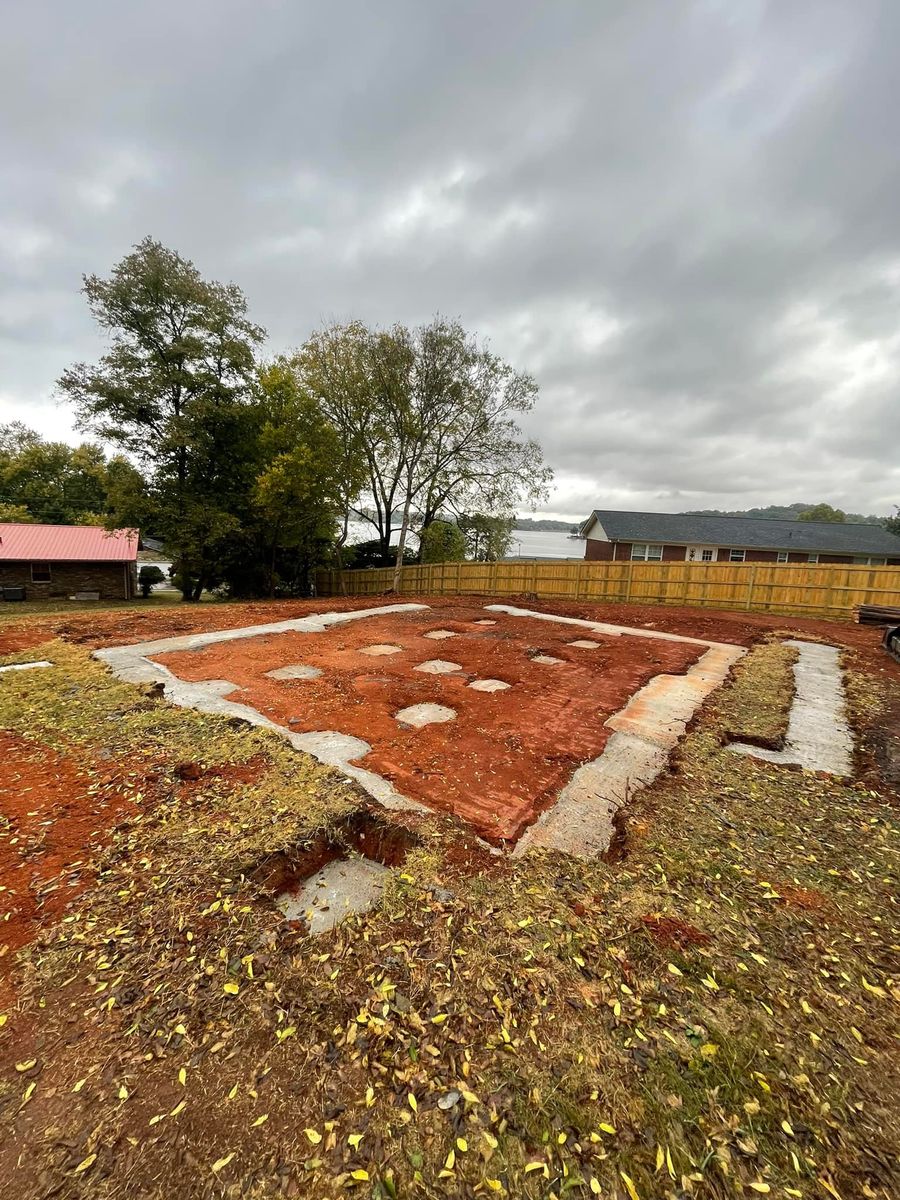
{"x":814,"y":591}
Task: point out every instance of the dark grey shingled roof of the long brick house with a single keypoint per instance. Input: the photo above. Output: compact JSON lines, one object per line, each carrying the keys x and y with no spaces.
{"x":748,"y":533}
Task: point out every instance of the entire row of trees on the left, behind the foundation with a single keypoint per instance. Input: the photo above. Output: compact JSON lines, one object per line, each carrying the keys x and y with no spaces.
{"x":250,"y":469}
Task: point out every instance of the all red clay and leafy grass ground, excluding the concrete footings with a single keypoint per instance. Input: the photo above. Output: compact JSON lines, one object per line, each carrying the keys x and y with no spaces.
{"x":710,"y":1010}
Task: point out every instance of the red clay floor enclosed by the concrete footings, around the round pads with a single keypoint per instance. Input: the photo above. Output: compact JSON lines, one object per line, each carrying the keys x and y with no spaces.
{"x":506,"y":757}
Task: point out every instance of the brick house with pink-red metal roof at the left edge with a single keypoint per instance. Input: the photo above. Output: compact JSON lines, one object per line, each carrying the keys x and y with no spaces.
{"x":63,"y":561}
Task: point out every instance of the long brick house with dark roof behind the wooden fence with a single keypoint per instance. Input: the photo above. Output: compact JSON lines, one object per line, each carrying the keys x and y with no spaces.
{"x":681,"y":537}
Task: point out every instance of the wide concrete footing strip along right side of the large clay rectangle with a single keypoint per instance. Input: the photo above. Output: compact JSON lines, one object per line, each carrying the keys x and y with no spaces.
{"x":581,"y":823}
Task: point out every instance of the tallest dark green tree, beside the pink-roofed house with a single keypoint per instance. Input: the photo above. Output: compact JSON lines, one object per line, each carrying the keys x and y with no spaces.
{"x":177,"y":392}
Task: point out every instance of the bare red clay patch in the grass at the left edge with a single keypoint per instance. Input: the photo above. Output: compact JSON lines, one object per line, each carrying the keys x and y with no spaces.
{"x":52,"y":813}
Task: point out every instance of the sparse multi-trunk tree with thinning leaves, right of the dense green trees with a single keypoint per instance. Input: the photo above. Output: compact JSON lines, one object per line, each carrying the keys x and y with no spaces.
{"x":435,"y":417}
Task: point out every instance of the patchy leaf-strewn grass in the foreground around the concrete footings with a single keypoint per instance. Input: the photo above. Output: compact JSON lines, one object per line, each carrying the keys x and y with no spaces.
{"x":713,"y":1017}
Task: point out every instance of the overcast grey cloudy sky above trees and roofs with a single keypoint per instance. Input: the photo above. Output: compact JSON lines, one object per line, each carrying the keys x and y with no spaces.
{"x":682,"y":218}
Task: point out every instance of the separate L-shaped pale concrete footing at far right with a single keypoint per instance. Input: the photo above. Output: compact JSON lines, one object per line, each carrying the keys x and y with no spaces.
{"x":819,"y":737}
